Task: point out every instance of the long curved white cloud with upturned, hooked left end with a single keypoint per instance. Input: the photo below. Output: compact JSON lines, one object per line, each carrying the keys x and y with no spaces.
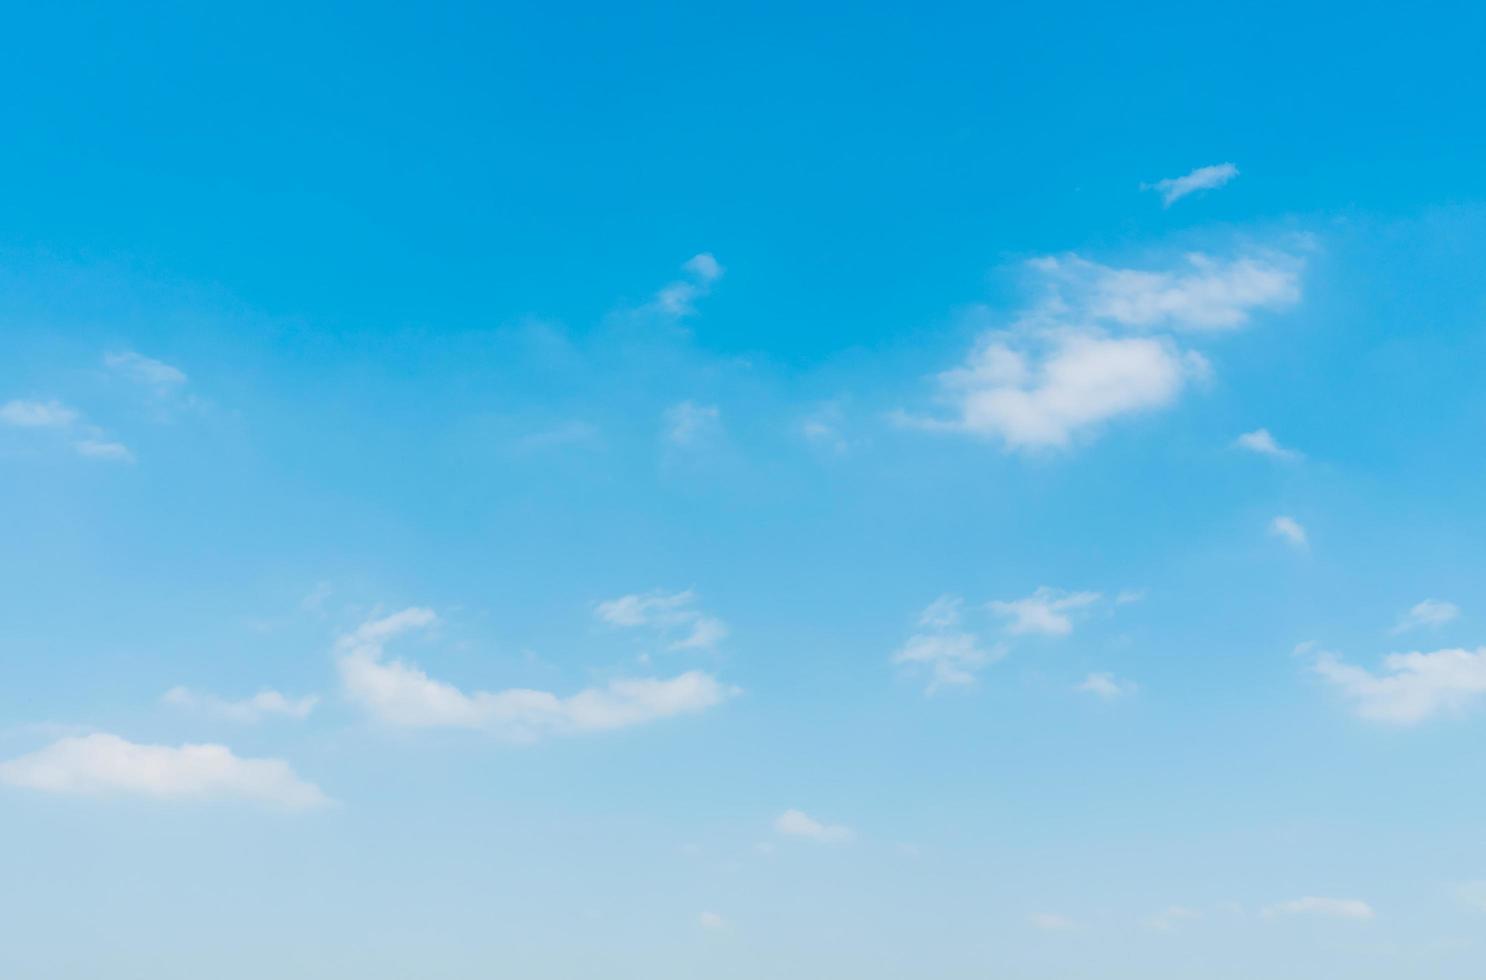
{"x":403,"y":695}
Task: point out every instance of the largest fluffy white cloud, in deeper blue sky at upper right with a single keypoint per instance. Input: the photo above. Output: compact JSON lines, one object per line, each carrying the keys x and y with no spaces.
{"x":1102,"y":344}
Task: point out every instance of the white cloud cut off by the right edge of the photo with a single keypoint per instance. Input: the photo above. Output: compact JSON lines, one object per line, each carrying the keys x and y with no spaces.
{"x":1414,"y":688}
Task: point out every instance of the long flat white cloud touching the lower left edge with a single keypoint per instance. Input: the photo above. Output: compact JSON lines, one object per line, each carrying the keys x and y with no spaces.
{"x":102,"y":765}
